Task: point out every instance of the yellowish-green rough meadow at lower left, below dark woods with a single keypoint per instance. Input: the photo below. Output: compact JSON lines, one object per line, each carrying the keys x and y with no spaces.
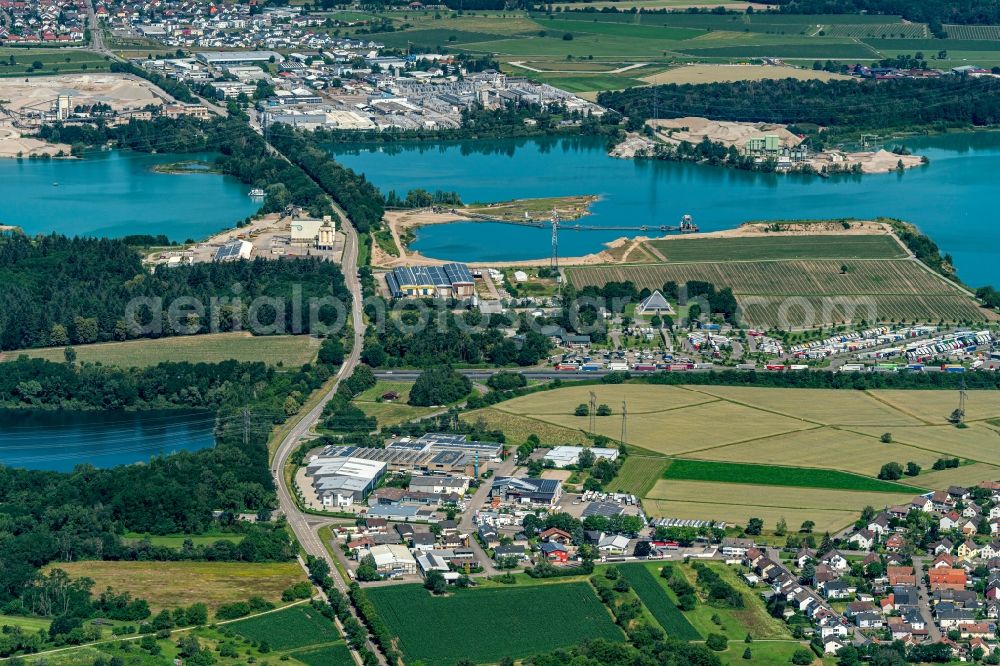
{"x":172,"y":584}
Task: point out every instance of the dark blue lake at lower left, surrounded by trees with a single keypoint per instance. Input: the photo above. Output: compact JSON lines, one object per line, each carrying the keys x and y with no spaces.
{"x":60,"y":440}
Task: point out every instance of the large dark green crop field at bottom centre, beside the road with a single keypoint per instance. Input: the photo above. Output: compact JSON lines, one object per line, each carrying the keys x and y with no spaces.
{"x":486,"y":625}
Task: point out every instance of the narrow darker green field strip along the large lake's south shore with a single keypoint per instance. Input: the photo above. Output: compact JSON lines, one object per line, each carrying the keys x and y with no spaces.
{"x":779,"y":247}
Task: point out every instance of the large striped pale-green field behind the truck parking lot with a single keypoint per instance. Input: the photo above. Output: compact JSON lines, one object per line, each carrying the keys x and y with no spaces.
{"x":805,"y":293}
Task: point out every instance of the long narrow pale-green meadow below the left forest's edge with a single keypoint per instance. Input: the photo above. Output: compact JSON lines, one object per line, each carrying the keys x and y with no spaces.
{"x":287,"y":350}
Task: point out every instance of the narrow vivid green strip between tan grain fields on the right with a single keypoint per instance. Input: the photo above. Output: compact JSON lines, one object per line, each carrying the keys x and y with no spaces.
{"x":773,"y":475}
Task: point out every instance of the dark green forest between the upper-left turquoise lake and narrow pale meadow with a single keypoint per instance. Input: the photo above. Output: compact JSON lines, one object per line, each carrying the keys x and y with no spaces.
{"x":98,"y":278}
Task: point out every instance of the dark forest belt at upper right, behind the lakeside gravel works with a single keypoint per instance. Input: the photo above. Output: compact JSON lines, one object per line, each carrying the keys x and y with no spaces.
{"x":843,"y":107}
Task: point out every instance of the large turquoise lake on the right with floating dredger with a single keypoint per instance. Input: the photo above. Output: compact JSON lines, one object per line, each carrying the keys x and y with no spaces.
{"x":952,"y":199}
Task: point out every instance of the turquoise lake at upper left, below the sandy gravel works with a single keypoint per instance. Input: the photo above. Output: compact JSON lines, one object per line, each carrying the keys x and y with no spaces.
{"x":116,"y":193}
